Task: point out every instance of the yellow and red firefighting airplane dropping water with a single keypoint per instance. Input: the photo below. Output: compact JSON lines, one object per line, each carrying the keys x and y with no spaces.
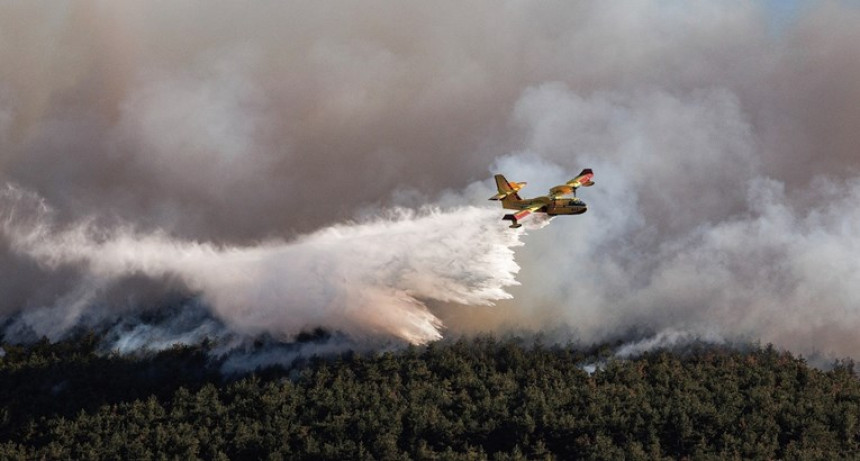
{"x":551,"y":204}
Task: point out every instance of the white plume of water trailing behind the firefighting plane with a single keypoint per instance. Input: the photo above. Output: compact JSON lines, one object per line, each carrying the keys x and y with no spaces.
{"x":364,"y":279}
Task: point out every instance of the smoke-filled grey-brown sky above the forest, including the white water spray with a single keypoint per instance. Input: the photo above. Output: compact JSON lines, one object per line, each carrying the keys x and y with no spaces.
{"x":175,"y":143}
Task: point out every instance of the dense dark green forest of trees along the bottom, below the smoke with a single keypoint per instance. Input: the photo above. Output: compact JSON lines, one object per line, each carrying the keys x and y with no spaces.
{"x":481,"y":398}
